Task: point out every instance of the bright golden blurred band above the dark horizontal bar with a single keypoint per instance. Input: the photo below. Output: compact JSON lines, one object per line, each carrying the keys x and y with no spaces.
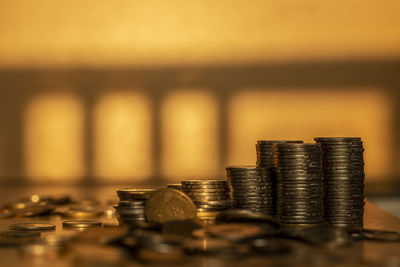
{"x":162,"y":32}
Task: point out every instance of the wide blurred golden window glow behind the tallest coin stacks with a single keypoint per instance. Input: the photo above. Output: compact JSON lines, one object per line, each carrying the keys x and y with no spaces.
{"x":305,"y":114}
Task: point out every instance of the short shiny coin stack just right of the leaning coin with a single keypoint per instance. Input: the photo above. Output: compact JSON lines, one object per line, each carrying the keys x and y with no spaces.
{"x":208,"y":195}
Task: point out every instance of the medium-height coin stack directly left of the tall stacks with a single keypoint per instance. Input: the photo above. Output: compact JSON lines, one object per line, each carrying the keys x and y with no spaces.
{"x":251,"y":188}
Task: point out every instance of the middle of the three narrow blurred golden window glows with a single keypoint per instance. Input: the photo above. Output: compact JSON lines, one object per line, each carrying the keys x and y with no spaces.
{"x":123,"y":135}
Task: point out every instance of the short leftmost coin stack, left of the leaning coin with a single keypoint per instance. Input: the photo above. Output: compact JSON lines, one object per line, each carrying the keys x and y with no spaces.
{"x":131,"y":207}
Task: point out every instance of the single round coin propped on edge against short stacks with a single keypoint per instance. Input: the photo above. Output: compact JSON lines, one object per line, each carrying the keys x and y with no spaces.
{"x":169,"y":205}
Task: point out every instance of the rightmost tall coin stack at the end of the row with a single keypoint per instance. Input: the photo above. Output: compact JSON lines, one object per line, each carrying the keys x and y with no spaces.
{"x":343,"y":166}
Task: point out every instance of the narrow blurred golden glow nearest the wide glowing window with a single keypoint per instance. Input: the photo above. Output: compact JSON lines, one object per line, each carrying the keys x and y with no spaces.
{"x":189,"y":135}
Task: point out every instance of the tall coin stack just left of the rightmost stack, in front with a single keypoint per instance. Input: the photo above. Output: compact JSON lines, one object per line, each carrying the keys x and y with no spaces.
{"x":299,"y":183}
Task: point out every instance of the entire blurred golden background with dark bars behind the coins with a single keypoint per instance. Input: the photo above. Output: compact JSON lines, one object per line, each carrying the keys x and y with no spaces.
{"x":137,"y":92}
